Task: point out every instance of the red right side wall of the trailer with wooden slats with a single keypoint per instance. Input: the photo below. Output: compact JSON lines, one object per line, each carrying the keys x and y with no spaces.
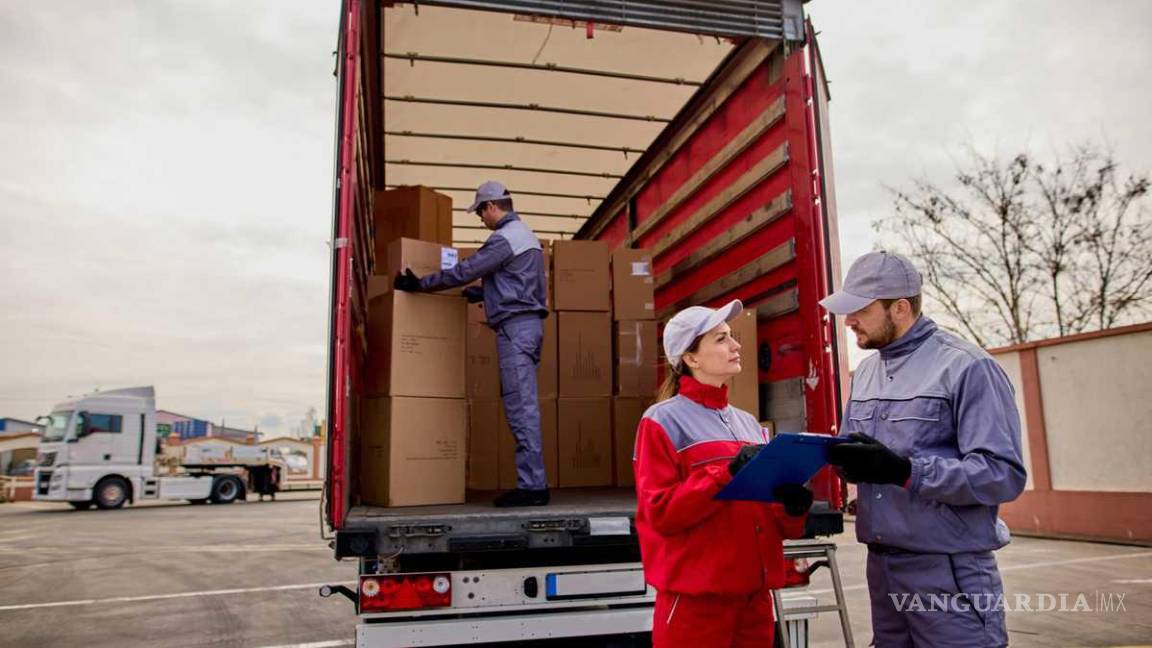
{"x":733,"y":202}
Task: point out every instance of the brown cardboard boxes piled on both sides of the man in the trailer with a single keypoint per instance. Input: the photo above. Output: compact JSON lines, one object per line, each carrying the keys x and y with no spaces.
{"x":433,"y":424}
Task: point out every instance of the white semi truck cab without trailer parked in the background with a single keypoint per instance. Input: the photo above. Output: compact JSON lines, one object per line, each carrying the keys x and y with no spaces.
{"x":102,"y":449}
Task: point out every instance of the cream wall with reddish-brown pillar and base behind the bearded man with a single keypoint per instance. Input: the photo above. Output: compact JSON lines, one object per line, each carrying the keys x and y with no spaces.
{"x":1086,"y":417}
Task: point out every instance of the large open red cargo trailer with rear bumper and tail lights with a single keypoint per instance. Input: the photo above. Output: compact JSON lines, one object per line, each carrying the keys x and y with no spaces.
{"x":732,"y":194}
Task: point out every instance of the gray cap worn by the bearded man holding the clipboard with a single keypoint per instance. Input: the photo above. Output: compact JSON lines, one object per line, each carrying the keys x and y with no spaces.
{"x":875,"y":276}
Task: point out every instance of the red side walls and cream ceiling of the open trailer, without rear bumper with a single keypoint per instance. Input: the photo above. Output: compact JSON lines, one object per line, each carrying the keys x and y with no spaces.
{"x":567,"y":138}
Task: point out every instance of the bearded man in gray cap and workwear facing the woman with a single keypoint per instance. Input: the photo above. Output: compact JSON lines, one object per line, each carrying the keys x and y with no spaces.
{"x":937,"y":449}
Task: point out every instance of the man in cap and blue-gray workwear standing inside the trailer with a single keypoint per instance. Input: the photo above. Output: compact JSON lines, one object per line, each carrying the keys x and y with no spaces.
{"x":511,"y":267}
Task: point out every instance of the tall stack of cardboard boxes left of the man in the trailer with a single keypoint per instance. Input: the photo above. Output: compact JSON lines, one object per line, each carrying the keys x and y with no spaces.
{"x":414,"y":417}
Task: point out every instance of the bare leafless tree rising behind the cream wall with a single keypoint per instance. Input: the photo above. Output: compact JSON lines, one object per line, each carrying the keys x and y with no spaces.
{"x":1021,"y":251}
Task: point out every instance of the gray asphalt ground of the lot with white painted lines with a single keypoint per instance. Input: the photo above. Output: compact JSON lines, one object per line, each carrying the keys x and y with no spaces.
{"x":247,"y":576}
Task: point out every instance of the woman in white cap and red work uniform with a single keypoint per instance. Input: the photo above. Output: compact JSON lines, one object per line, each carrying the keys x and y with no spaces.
{"x":714,"y":563}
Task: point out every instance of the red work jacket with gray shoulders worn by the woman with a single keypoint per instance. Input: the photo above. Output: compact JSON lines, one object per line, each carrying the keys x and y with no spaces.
{"x":692,"y":544}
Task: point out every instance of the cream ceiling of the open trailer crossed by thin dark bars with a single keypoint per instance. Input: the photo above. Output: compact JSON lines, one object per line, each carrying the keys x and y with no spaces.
{"x":558,"y":111}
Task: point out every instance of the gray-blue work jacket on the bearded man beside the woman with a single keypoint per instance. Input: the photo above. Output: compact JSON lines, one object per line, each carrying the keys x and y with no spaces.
{"x":948,"y":406}
